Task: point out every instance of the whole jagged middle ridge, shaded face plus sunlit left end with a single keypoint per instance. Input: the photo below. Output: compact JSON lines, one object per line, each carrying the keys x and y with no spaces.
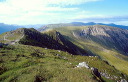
{"x":51,"y":40}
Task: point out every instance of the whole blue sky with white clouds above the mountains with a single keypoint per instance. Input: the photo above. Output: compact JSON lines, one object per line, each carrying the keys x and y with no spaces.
{"x":24,"y":12}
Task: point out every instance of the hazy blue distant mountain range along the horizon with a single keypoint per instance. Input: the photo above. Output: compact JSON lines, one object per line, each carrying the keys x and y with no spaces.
{"x":41,"y":27}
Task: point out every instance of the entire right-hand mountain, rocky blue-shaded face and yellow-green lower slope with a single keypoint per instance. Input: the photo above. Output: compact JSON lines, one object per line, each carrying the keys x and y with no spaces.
{"x":109,"y":43}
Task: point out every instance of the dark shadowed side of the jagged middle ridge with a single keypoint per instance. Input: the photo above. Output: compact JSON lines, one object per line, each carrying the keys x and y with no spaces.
{"x":36,"y":38}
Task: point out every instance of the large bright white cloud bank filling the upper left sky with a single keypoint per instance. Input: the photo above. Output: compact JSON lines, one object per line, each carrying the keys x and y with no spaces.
{"x":28,"y":11}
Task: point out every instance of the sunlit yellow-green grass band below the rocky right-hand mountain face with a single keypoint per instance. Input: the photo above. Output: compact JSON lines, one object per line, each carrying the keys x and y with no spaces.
{"x":112,"y":56}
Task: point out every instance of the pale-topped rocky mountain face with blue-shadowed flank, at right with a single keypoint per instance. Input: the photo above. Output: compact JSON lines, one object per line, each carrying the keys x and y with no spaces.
{"x":110,"y":37}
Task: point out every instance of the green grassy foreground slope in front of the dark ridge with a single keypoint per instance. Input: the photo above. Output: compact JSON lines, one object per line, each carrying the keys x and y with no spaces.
{"x":25,"y":63}
